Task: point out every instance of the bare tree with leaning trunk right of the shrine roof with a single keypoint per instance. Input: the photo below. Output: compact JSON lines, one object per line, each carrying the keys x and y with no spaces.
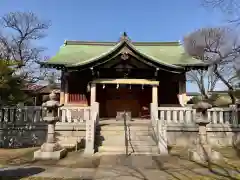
{"x":220,"y":47}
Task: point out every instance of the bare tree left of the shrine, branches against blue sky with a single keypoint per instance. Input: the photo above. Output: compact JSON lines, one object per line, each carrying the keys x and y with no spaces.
{"x":19,"y":33}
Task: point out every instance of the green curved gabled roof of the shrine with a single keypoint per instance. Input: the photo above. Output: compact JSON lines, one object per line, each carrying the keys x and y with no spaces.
{"x":79,"y":53}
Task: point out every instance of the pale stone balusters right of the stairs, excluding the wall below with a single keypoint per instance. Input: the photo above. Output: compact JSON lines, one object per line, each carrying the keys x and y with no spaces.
{"x":186,"y":115}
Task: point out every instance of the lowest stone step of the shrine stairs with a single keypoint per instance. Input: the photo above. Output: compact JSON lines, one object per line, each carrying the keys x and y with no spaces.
{"x":150,"y":149}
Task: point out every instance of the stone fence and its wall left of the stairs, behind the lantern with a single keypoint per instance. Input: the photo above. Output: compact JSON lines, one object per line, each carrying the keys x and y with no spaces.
{"x":24,"y":126}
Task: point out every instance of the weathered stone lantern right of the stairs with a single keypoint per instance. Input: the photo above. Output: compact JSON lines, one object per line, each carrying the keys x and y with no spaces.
{"x":202,"y":151}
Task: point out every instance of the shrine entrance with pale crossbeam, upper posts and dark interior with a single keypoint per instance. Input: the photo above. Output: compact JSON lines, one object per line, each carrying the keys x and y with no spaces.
{"x":129,"y":95}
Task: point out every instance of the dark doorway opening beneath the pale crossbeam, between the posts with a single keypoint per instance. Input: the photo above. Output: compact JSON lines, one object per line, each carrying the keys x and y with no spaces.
{"x":133,"y":98}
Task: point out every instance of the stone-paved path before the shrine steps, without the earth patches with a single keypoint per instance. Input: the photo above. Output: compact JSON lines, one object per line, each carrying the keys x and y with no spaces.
{"x":120,"y":168}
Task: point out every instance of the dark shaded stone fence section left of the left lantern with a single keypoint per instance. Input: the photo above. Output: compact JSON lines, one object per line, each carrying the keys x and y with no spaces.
{"x":22,"y":126}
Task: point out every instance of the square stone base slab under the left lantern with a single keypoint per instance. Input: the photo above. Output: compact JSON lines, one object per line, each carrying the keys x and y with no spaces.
{"x":55,"y":155}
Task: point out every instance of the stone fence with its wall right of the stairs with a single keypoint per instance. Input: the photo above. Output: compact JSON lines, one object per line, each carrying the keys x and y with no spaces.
{"x":181,"y":130}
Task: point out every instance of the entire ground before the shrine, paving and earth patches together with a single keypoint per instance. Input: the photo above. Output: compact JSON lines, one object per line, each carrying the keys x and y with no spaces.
{"x":142,"y":167}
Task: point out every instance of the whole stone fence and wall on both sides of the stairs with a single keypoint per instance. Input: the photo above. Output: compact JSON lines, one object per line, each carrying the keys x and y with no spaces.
{"x":24,"y":126}
